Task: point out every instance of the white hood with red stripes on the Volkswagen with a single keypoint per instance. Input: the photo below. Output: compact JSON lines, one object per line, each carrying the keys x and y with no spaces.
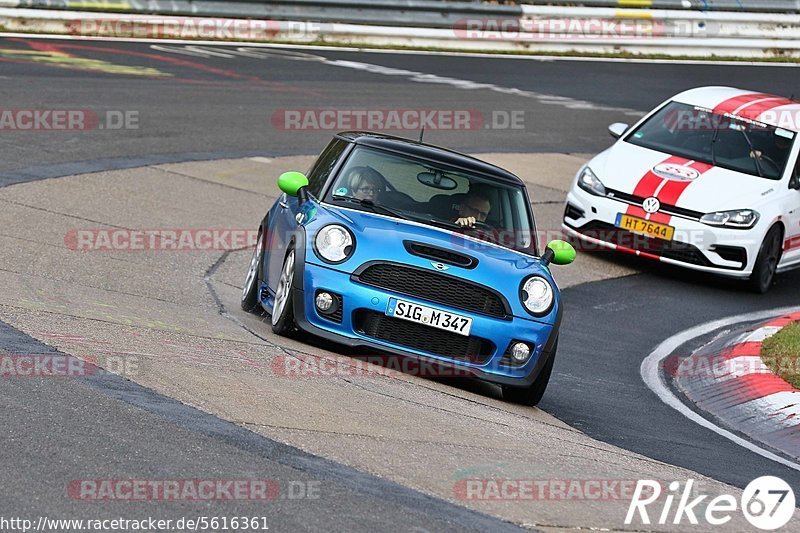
{"x":696,"y":186}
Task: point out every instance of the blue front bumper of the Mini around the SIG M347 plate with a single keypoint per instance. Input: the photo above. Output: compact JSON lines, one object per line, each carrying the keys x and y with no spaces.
{"x":357,"y":297}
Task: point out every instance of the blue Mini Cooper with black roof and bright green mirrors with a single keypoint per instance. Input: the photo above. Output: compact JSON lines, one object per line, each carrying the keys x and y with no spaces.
{"x":413,"y":250}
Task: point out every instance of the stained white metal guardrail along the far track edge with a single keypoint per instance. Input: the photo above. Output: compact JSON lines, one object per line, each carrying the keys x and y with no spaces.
{"x":466,"y":26}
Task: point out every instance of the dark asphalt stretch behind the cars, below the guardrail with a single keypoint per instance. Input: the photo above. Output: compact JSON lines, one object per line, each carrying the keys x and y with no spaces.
{"x":205,"y":105}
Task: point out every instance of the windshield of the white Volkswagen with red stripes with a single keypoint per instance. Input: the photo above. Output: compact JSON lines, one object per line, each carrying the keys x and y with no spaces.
{"x":729,"y":142}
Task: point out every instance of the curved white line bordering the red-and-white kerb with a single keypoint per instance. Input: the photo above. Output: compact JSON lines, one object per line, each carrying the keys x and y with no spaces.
{"x":652,"y":377}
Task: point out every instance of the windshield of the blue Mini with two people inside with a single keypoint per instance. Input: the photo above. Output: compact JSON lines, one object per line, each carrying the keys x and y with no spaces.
{"x":421,"y":191}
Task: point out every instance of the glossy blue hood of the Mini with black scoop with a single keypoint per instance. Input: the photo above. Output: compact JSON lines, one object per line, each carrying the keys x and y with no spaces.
{"x":383,"y":238}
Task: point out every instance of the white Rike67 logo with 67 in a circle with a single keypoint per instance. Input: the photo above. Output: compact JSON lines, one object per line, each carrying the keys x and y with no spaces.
{"x":767,"y":503}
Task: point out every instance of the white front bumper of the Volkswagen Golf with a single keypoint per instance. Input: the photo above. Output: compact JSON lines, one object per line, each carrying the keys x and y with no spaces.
{"x":721,"y":251}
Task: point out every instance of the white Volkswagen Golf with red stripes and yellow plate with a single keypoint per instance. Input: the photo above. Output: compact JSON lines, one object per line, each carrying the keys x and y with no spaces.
{"x":709,"y":180}
